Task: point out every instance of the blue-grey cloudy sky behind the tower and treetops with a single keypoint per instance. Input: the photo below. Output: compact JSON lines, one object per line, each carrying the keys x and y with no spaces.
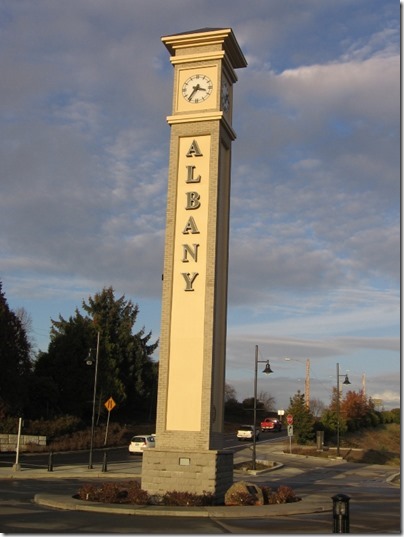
{"x":85,"y":89}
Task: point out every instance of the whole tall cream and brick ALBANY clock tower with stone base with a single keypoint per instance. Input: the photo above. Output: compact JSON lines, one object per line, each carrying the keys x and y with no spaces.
{"x":189,"y":452}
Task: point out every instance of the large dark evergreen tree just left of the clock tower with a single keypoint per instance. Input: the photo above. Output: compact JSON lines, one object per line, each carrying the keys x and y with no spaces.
{"x":125,"y":368}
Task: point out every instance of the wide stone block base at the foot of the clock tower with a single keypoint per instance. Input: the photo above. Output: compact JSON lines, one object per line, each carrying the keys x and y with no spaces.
{"x":187,"y":471}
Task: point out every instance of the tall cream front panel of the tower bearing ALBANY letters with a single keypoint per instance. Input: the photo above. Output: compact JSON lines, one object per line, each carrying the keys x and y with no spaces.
{"x":191,"y":249}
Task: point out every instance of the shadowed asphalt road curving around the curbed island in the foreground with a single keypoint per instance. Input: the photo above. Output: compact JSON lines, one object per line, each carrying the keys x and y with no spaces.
{"x":375,"y":503}
